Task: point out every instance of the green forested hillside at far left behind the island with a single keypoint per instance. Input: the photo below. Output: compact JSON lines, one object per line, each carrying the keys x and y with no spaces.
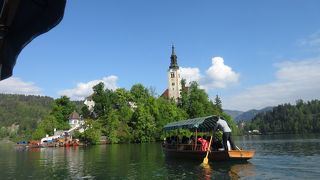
{"x":21,"y":113}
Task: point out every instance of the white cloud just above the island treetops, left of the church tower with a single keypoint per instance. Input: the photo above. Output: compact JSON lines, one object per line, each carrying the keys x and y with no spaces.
{"x":84,"y":90}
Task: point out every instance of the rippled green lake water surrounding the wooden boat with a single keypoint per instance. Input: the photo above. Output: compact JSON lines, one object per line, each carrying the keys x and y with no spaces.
{"x":277,"y":157}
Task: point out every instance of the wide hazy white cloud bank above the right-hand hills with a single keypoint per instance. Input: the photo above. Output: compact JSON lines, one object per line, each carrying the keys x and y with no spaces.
{"x":294,"y":80}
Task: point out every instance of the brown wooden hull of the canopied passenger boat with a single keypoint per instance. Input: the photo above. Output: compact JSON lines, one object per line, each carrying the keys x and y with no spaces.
{"x":233,"y":155}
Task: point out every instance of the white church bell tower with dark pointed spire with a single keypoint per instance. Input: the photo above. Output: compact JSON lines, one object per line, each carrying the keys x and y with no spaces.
{"x":174,"y":79}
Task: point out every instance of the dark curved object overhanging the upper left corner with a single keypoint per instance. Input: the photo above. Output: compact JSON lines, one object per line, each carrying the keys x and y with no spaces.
{"x":20,"y":22}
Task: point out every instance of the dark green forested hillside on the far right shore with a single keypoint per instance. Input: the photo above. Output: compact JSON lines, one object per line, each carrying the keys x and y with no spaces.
{"x":304,"y":117}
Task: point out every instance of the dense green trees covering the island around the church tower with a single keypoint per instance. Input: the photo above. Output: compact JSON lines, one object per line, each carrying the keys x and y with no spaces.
{"x":137,"y":116}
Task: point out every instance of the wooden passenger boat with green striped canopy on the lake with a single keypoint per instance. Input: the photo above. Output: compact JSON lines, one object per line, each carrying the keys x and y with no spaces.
{"x":195,"y":151}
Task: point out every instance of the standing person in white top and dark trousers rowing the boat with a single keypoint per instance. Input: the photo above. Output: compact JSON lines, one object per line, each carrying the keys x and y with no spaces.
{"x":226,"y":136}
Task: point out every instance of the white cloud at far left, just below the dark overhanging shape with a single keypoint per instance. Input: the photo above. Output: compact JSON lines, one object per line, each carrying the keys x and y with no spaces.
{"x":15,"y":85}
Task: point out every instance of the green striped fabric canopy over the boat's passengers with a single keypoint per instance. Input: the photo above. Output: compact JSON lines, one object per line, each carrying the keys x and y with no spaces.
{"x":200,"y":124}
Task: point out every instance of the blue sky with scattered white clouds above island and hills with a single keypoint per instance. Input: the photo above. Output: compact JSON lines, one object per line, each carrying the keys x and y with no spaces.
{"x":252,"y":54}
